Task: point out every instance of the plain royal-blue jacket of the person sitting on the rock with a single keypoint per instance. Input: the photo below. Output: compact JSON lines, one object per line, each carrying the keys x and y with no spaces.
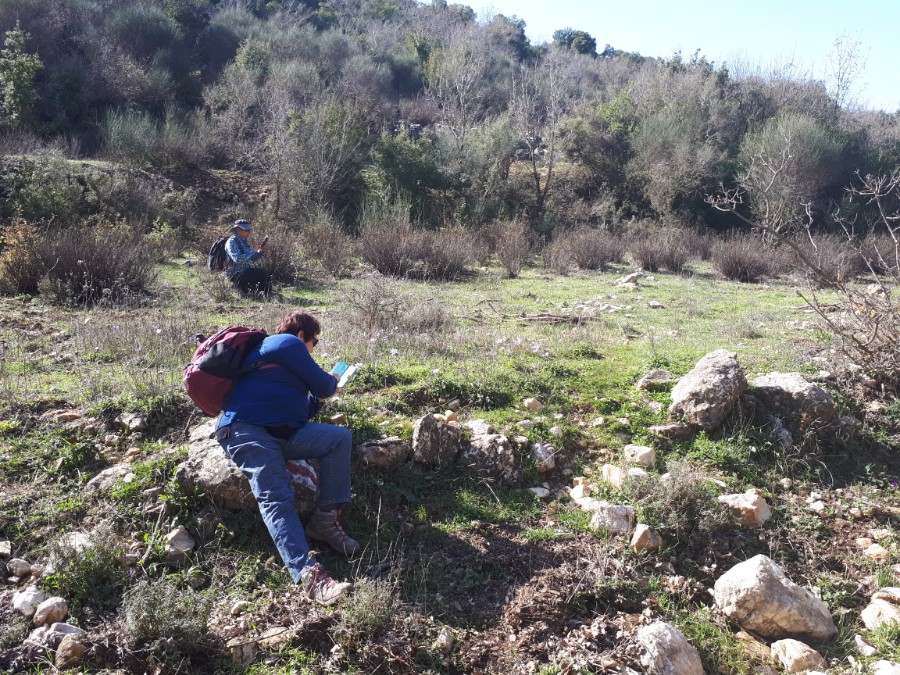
{"x":278,"y":392}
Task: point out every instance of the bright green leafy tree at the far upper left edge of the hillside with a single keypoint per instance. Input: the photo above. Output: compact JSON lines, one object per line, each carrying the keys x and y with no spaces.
{"x":17,"y":72}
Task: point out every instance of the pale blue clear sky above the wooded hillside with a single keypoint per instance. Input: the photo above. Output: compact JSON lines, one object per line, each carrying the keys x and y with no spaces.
{"x":757,"y":34}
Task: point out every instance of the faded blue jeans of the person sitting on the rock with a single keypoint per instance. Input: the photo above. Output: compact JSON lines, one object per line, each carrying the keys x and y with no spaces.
{"x":261,"y":458}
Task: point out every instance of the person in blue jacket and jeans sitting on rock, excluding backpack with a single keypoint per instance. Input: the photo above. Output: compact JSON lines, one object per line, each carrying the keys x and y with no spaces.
{"x":265,"y":423}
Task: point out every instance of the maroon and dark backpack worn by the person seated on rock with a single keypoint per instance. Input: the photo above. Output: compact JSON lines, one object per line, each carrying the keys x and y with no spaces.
{"x":217,"y":364}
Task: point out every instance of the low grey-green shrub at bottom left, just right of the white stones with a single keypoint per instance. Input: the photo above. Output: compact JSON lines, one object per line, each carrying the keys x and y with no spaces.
{"x":164,"y":617}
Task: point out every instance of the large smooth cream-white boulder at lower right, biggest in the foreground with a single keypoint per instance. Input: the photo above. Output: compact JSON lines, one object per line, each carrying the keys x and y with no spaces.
{"x":758,"y":595}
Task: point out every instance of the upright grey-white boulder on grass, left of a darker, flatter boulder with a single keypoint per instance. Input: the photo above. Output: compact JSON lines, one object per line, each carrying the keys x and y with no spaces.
{"x":707,"y":394}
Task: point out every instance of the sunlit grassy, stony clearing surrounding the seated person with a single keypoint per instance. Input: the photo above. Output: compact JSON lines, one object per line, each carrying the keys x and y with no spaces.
{"x":461,"y":553}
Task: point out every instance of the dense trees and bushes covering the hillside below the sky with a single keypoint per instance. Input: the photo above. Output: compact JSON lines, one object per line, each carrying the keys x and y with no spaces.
{"x":338,"y":105}
